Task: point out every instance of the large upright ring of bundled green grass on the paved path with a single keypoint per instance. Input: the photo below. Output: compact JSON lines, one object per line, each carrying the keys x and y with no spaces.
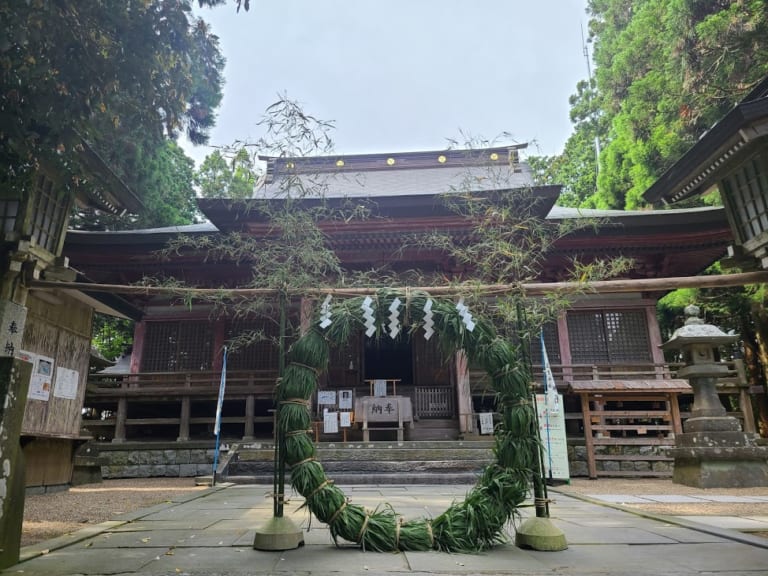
{"x":472,"y":525}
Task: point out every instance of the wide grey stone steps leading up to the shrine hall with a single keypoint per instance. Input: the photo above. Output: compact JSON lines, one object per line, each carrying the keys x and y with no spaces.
{"x":410,"y":462}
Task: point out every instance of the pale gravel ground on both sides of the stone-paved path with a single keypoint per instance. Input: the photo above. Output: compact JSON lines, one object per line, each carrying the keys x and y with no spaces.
{"x":49,"y":515}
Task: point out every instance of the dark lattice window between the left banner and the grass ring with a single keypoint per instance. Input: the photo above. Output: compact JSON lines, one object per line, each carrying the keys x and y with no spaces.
{"x":261,"y":352}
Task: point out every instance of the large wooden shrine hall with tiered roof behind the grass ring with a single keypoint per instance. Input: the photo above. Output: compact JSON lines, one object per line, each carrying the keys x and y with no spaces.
{"x":170,"y":385}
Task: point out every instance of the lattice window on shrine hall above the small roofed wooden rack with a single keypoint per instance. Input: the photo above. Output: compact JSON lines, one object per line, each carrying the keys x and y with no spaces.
{"x":608,"y":337}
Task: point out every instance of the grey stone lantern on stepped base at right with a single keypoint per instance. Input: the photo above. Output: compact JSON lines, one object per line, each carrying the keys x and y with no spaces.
{"x":712,"y":451}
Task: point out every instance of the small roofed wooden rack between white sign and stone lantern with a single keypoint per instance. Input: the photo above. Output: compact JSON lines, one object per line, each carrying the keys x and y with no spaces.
{"x":628,"y":413}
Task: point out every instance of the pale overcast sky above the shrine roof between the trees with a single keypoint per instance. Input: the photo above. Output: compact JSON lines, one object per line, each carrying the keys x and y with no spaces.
{"x":404,"y":75}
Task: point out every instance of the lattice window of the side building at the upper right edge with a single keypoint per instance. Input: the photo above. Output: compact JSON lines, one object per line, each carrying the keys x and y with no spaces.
{"x":746,"y":190}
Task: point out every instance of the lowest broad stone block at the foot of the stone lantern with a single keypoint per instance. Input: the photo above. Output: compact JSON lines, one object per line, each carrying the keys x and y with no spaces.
{"x":720,"y":473}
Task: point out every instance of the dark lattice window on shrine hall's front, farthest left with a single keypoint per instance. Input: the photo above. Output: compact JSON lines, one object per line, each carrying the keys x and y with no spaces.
{"x":177,"y":347}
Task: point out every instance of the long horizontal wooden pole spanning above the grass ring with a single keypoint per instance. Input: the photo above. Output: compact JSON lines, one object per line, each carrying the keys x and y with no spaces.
{"x":530,"y":289}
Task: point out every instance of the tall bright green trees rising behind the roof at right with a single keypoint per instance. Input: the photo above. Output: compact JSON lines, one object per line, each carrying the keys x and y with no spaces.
{"x":666,"y":71}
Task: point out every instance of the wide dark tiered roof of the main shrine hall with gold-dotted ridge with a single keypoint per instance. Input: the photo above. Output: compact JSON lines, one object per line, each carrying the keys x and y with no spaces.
{"x":405,"y":195}
